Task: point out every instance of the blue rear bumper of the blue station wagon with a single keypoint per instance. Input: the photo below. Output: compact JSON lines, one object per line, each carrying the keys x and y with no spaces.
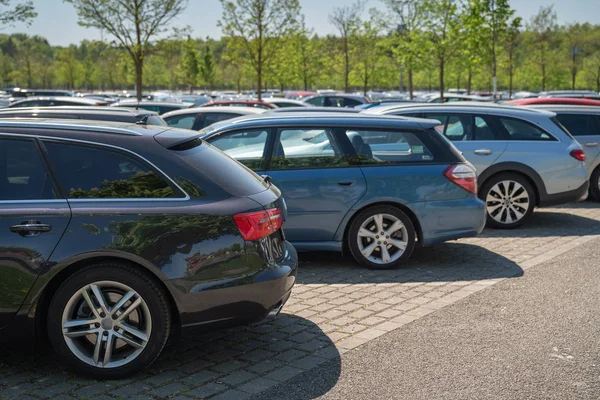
{"x":449,"y":220}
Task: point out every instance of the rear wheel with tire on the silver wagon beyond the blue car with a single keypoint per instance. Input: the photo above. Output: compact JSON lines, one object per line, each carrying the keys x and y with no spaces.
{"x":509,"y":200}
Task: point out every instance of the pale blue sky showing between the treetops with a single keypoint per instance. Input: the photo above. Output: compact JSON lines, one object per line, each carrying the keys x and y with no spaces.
{"x":57,"y":21}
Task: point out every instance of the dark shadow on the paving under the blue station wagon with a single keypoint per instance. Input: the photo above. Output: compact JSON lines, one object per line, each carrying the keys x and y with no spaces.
{"x":448,"y":262}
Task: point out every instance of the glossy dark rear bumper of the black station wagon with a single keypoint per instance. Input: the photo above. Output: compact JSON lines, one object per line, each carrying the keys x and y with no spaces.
{"x":241,"y":300}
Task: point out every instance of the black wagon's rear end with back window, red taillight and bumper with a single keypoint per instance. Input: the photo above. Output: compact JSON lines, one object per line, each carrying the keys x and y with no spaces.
{"x":252,"y":274}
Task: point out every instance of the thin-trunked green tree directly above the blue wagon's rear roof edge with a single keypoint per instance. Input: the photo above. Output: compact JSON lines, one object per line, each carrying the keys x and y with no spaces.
{"x":442,"y":28}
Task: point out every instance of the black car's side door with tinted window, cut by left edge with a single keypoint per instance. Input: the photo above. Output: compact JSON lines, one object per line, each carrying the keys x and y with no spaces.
{"x":32,"y":221}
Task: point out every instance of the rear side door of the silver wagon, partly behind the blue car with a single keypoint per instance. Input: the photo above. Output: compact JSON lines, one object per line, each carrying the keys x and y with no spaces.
{"x":476,"y":136}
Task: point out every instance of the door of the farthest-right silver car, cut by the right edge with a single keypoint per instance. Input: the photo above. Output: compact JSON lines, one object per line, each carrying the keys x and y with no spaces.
{"x":586,"y":130}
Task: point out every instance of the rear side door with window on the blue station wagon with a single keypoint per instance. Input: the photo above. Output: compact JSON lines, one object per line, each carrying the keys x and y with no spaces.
{"x":317,"y":181}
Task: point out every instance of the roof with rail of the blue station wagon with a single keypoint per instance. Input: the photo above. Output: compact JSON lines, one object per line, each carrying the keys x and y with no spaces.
{"x":320,"y":118}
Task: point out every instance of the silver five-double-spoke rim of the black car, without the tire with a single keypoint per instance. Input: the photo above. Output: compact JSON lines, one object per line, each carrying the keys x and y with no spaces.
{"x":106,"y":324}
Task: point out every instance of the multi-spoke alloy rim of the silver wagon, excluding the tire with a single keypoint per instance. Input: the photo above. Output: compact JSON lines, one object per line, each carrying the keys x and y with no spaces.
{"x":507,"y":202}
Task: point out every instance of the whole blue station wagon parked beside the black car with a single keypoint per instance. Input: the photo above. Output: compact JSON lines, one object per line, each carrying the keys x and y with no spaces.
{"x":375,"y":185}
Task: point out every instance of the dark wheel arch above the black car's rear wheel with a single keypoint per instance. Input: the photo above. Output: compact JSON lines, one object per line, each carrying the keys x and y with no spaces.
{"x":42,"y":304}
